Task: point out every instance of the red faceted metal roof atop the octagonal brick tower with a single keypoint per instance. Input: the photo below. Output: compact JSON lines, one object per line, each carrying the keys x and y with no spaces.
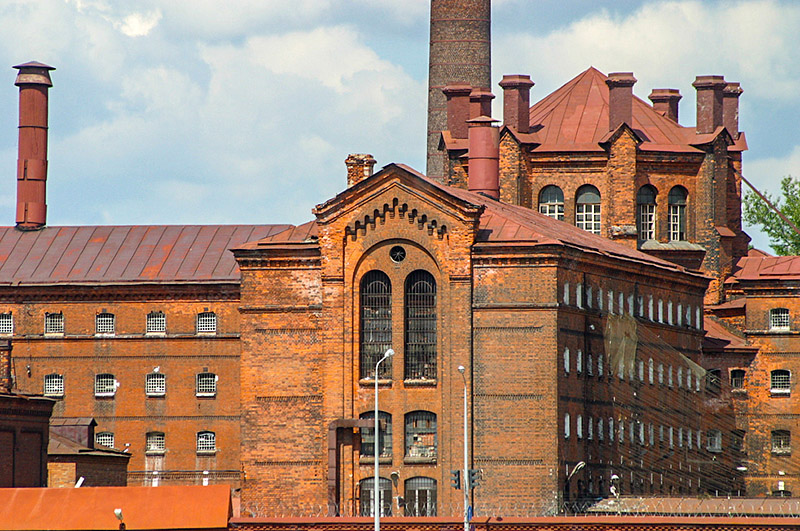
{"x":575,"y":118}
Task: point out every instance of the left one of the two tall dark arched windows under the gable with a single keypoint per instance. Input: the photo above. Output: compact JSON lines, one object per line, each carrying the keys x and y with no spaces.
{"x":376,"y":324}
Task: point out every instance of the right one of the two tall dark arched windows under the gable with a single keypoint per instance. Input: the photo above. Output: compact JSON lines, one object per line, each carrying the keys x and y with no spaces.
{"x":420,"y":347}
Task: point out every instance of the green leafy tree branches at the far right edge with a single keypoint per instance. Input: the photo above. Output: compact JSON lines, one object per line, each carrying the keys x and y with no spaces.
{"x":756,"y":212}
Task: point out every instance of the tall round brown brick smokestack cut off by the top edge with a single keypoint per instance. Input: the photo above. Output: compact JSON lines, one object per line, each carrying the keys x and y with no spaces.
{"x":460,"y":53}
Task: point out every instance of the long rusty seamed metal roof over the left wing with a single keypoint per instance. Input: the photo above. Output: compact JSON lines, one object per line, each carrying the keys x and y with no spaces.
{"x":124,"y":254}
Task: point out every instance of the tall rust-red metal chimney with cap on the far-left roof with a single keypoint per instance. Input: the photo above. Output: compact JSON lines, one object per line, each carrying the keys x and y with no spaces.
{"x":34,"y":82}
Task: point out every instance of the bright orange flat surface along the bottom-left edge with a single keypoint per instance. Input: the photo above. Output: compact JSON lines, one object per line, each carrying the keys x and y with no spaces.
{"x":92,"y":508}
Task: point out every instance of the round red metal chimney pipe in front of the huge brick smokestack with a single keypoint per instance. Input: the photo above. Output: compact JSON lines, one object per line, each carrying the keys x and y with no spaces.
{"x":484,"y":157}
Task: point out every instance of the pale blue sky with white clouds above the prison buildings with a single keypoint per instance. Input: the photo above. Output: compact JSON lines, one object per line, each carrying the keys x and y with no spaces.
{"x":181,"y":111}
